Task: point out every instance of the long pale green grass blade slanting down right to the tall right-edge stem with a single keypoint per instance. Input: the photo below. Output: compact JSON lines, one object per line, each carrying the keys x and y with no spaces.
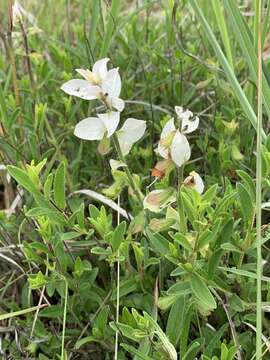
{"x":226,"y":66}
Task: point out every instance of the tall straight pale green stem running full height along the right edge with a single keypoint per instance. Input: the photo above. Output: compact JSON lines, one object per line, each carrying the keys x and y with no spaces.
{"x":259,"y":190}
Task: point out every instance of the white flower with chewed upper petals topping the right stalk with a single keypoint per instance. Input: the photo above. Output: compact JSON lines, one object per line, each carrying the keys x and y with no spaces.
{"x":173,"y":143}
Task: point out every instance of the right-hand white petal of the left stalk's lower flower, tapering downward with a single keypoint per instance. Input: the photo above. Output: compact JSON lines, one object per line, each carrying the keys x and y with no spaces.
{"x":132,"y":131}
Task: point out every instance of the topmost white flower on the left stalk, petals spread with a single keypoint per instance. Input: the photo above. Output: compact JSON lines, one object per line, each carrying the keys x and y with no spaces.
{"x":99,"y":83}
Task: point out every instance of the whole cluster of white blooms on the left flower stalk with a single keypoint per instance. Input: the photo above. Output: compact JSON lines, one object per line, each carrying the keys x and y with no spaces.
{"x":104,"y":85}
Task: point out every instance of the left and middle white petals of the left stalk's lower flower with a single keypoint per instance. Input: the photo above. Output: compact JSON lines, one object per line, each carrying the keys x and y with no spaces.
{"x":94,"y":128}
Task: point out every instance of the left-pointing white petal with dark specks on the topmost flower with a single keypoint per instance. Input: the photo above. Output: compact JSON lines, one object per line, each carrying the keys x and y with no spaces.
{"x":81,"y":88}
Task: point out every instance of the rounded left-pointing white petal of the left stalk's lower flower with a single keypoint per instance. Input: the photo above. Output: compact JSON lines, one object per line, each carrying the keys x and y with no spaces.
{"x":91,"y":128}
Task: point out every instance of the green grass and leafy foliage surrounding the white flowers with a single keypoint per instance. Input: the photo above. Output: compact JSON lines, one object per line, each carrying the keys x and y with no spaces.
{"x":189,"y":294}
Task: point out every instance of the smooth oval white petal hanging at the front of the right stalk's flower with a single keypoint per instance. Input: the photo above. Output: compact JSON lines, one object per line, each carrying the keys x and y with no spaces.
{"x":180,"y":149}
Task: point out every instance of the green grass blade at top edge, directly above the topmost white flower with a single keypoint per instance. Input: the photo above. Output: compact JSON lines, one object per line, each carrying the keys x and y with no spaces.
{"x":111,"y":25}
